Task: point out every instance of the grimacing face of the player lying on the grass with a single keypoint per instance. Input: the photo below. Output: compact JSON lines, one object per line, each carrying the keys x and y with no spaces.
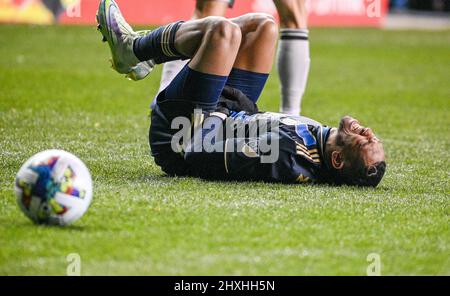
{"x":360,"y":140}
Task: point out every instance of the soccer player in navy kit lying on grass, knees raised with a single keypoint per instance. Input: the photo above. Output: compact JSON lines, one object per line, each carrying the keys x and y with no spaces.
{"x":229,"y":64}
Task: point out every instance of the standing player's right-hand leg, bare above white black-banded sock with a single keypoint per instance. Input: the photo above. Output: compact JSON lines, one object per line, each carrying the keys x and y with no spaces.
{"x":293,"y":53}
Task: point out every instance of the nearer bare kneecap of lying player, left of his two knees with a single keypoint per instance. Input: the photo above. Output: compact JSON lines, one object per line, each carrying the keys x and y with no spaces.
{"x":225,"y":32}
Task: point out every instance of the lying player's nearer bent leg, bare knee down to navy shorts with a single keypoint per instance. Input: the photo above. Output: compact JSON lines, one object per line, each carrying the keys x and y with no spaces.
{"x":212,"y":43}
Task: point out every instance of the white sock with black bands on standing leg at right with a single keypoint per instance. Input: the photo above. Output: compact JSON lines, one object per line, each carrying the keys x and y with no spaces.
{"x":293,"y":68}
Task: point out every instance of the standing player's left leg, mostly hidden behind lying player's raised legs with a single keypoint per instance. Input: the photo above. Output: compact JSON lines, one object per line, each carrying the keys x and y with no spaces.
{"x":203,"y":9}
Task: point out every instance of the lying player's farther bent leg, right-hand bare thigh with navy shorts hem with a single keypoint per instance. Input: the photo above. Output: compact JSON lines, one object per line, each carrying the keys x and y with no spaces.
{"x":255,"y":58}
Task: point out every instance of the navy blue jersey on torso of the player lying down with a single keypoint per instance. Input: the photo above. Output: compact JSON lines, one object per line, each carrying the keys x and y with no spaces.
{"x":299,"y":157}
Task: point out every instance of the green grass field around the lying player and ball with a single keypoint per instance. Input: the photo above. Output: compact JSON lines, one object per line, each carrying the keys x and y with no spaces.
{"x":57,"y":91}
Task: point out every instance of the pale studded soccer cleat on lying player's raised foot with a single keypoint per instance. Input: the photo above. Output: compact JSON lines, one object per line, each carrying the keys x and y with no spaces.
{"x":120,"y":37}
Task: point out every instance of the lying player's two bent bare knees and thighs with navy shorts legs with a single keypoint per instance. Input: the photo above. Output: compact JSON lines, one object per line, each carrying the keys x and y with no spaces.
{"x":247,"y":69}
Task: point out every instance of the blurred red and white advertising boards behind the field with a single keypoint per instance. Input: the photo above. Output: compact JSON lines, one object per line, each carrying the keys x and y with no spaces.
{"x":369,"y":13}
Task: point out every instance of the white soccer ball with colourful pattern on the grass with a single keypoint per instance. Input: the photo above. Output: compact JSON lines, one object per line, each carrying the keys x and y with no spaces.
{"x":53,"y":187}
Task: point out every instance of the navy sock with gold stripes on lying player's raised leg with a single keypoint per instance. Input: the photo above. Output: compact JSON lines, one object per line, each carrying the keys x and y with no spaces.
{"x":158,"y":45}
